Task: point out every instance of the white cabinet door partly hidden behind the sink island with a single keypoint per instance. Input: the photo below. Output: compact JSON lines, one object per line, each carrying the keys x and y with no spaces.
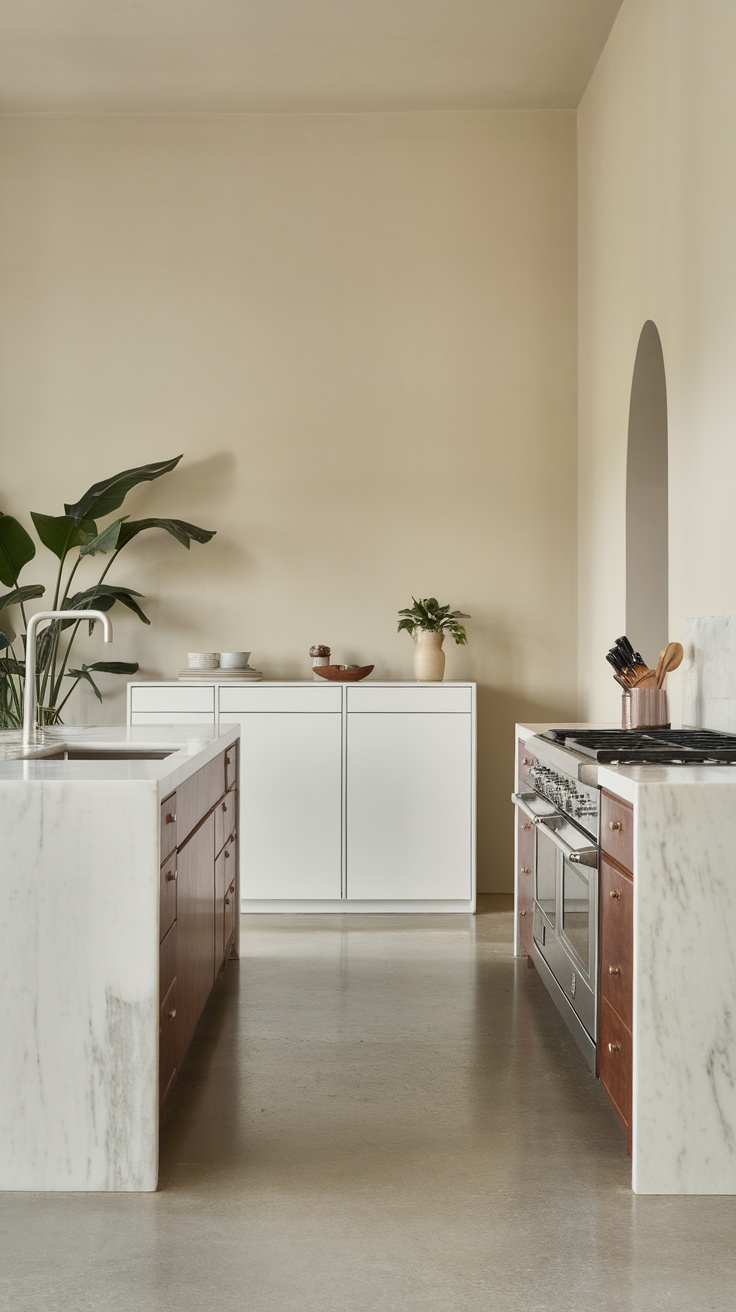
{"x":291,"y":805}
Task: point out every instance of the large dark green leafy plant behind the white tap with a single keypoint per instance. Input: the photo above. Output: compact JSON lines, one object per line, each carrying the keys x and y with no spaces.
{"x":74,"y":539}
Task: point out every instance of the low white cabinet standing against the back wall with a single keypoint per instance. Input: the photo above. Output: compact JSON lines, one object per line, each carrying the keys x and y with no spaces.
{"x":352,"y":798}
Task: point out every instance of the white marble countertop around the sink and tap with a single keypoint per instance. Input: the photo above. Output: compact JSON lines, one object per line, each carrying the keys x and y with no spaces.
{"x":186,"y":743}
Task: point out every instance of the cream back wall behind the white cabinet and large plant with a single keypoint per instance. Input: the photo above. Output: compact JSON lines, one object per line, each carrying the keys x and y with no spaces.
{"x":361,"y":331}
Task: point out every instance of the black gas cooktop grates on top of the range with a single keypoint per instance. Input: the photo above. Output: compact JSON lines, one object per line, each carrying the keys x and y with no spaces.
{"x":649,"y":747}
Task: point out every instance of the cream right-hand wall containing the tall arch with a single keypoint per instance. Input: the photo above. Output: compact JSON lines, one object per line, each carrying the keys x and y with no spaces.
{"x":657,"y":233}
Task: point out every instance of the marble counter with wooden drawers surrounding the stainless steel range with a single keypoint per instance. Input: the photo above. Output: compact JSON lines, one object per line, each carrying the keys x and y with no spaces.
{"x":676,"y":865}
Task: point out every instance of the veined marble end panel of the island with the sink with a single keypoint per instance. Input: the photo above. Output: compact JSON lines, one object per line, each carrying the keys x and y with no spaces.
{"x":79,"y":979}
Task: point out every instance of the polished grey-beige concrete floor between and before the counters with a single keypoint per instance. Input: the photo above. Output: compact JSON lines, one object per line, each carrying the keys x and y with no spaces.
{"x":378,"y":1115}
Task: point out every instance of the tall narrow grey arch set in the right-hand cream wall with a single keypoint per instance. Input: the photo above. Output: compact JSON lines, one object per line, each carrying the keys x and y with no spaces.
{"x":647,"y":560}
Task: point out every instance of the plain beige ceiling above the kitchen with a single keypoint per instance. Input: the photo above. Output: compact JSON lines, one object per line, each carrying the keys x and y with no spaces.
{"x":297,"y":56}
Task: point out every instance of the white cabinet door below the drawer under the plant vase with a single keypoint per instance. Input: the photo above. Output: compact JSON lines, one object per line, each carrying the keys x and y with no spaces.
{"x":410,"y":806}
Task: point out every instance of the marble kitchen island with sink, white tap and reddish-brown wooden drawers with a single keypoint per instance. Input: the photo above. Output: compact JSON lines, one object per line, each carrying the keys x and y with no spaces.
{"x":111,"y":905}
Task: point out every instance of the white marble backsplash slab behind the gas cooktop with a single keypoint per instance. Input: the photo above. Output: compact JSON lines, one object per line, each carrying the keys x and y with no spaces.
{"x":709,"y":672}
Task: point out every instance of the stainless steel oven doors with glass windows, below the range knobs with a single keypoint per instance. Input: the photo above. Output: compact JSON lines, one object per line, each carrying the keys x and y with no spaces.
{"x":569,"y":941}
